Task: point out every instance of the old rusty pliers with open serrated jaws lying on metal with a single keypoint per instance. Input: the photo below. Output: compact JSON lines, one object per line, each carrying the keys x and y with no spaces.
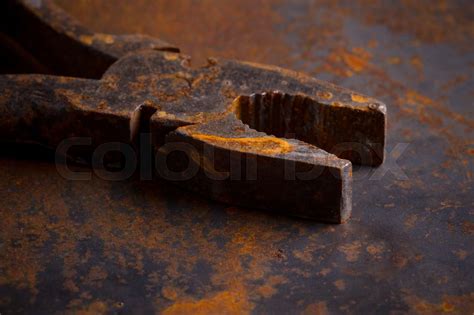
{"x":238,"y":132}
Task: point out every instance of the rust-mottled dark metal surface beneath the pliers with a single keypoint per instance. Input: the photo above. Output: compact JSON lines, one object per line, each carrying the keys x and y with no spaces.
{"x":135,"y":247}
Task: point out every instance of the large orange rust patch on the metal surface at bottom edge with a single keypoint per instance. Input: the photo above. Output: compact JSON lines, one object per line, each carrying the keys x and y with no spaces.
{"x":225,"y":302}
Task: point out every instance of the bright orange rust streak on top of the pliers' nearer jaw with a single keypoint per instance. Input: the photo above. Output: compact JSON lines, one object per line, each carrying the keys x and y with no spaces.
{"x":264,"y":145}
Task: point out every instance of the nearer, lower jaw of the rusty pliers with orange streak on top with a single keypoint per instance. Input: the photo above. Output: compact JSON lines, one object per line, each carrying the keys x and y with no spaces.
{"x":230,"y":162}
